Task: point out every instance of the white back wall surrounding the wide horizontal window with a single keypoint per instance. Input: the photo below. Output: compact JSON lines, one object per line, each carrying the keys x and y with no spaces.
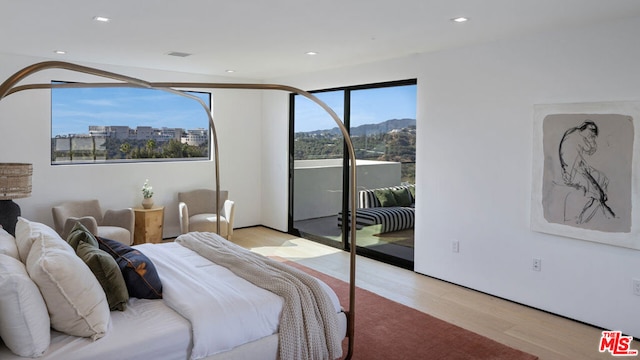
{"x":25,"y":123}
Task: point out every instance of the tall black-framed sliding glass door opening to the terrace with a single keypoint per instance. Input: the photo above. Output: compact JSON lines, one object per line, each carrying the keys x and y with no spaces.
{"x":382,"y":123}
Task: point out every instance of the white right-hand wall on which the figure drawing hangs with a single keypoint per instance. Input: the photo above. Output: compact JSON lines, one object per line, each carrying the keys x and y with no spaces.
{"x":474,"y":156}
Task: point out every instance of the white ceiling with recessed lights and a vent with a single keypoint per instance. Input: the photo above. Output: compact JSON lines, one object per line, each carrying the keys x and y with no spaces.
{"x":262,"y":39}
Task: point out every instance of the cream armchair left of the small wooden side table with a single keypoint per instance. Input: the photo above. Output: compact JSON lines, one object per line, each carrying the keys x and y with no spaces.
{"x":113,"y":224}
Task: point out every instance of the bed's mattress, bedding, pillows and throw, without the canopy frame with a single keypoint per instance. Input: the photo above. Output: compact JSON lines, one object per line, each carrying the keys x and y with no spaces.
{"x":220,"y":315}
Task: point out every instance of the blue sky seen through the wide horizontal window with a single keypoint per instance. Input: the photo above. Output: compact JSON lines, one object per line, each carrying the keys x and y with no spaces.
{"x":73,"y":110}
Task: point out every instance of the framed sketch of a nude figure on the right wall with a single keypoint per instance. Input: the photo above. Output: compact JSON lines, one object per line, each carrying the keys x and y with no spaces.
{"x":585,"y":172}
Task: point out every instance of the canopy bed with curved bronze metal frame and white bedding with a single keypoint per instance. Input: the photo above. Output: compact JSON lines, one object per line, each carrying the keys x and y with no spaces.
{"x":172,"y":327}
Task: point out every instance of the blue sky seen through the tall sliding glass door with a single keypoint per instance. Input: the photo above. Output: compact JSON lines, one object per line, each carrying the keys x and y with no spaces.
{"x":368,"y":106}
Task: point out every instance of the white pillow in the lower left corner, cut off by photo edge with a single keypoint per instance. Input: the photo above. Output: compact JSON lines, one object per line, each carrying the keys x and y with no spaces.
{"x":24,"y":321}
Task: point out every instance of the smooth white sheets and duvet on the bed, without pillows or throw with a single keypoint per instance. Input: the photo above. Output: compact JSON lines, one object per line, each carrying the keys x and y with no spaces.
{"x":237,"y":313}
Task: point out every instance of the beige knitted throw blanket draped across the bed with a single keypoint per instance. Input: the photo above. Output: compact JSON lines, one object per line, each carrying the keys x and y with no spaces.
{"x":308,"y":322}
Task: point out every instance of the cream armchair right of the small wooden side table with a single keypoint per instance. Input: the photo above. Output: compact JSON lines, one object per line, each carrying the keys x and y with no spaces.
{"x":197,"y":209}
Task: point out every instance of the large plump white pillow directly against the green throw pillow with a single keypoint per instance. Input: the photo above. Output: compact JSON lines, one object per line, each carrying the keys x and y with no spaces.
{"x":76,"y":302}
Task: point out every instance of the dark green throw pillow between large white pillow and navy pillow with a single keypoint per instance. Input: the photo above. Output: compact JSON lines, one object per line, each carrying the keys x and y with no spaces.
{"x":106,"y":270}
